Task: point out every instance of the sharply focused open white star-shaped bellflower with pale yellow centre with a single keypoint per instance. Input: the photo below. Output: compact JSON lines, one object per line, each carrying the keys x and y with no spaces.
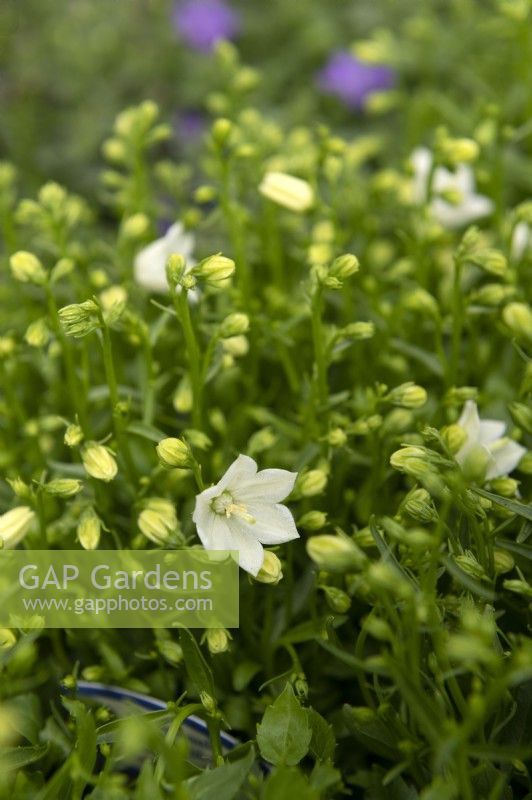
{"x":243,"y":512}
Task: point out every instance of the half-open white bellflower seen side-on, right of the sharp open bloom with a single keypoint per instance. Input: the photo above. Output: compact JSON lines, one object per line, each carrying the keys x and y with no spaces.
{"x":486,"y":452}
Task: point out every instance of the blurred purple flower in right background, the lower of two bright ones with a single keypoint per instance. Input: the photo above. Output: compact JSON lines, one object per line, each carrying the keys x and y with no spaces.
{"x":352,"y":81}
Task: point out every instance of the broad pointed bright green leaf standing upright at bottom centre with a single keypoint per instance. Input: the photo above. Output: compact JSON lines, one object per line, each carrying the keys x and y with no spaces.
{"x":284,"y":734}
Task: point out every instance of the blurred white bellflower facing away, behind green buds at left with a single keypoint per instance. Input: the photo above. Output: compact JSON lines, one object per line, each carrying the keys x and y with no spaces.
{"x":150,"y":262}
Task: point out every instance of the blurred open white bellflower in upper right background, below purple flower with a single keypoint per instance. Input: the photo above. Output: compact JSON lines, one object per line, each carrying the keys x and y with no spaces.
{"x":466,"y":206}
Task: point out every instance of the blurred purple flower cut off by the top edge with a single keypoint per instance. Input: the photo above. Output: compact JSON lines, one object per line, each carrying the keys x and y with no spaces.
{"x":202,"y":23}
